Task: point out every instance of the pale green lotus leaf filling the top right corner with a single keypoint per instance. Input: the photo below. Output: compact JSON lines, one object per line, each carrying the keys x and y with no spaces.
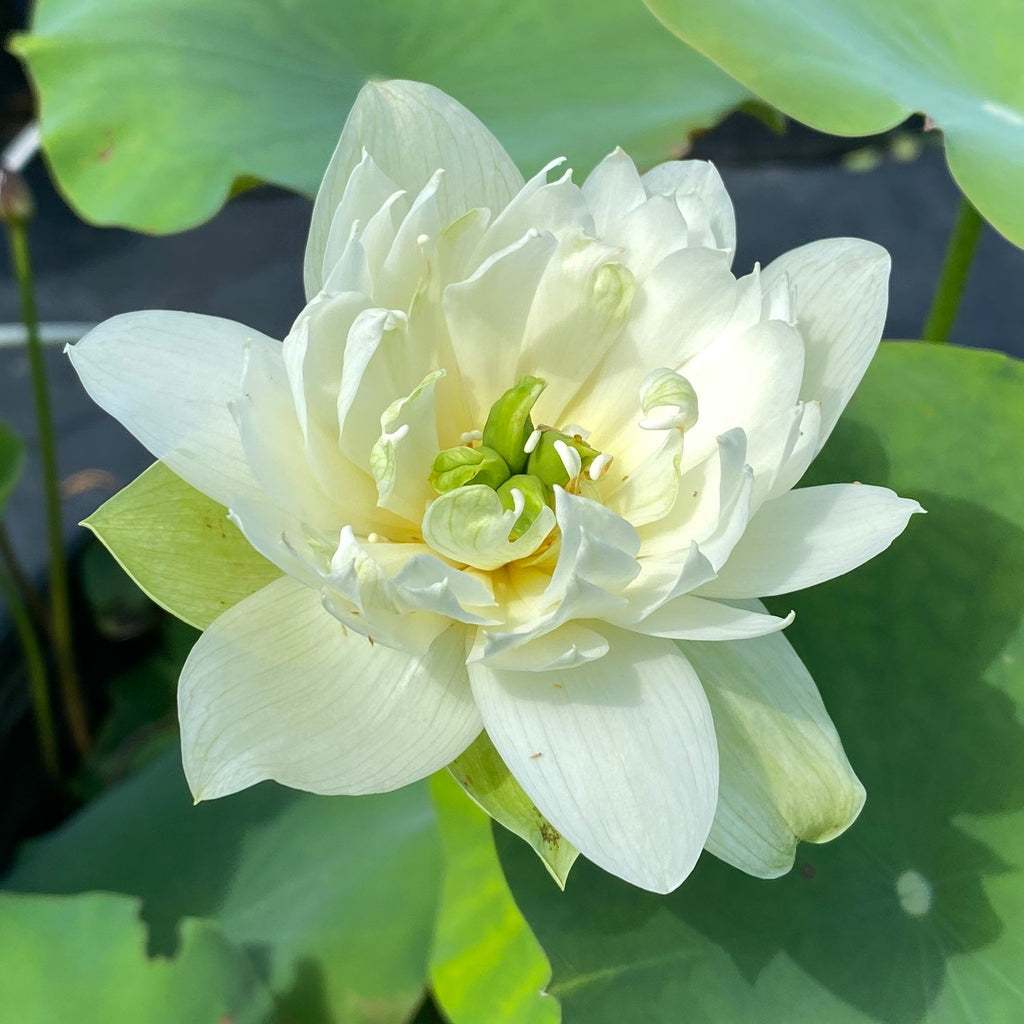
{"x":859,"y":67}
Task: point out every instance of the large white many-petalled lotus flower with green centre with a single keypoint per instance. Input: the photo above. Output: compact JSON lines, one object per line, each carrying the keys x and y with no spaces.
{"x":526,"y":460}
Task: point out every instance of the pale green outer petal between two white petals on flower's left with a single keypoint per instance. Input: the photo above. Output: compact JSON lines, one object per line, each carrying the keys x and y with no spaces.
{"x":180,"y":547}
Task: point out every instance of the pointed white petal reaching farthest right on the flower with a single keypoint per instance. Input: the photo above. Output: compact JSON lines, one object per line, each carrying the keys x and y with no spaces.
{"x":808,"y":536}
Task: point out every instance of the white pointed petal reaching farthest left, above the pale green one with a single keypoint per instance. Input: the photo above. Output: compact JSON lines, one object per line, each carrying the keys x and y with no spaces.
{"x":168,"y":377}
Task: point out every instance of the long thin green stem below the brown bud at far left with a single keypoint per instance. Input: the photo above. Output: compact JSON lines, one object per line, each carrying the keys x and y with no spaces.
{"x":60,"y":595}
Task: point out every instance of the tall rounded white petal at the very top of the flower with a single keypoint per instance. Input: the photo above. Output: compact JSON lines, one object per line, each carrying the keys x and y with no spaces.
{"x":412,"y":131}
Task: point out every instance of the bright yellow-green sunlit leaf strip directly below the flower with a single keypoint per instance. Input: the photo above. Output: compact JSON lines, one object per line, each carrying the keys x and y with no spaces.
{"x":486,"y":967}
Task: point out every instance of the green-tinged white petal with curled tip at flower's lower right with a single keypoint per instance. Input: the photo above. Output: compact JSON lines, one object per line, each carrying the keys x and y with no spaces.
{"x":784,"y":774}
